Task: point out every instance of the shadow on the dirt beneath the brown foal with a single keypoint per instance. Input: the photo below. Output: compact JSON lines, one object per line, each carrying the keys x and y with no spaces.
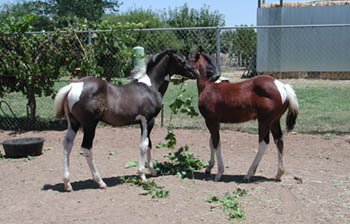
{"x":239,"y":179}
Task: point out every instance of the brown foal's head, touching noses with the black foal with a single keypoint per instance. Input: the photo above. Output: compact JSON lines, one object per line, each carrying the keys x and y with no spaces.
{"x":205,"y":64}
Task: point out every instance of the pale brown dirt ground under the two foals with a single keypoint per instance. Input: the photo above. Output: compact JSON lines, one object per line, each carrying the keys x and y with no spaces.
{"x":314,"y":189}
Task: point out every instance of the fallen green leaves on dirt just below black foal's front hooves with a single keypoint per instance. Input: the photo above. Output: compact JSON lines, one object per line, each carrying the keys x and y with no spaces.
{"x":149,"y":187}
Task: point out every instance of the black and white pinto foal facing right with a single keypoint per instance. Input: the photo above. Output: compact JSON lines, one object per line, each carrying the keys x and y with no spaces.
{"x":89,"y":100}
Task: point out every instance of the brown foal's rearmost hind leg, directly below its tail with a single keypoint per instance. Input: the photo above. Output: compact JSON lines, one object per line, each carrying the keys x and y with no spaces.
{"x":278,"y":138}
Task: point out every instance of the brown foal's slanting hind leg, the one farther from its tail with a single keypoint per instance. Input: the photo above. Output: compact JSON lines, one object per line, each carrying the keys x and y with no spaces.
{"x":263,"y":142}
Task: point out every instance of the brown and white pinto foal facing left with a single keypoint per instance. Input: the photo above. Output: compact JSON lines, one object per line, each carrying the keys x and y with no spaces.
{"x":263,"y":98}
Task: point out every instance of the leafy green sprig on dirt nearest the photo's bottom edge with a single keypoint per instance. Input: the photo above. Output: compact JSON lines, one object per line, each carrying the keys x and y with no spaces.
{"x":229,"y":204}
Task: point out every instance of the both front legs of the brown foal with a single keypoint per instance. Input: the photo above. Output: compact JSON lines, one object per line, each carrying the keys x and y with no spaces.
{"x":215,"y":146}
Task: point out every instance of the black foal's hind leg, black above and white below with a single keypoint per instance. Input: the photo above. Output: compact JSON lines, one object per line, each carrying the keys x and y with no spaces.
{"x":89,"y":134}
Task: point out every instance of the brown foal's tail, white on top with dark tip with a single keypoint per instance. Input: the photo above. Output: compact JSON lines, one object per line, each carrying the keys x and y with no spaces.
{"x":293,"y":107}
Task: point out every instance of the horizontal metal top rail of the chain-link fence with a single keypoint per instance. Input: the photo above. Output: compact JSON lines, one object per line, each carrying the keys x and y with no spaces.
{"x":204,"y":28}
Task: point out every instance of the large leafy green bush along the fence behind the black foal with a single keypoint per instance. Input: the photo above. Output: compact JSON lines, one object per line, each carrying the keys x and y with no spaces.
{"x":33,"y":62}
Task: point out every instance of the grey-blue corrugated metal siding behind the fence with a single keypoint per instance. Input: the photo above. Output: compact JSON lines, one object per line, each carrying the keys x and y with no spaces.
{"x":305,"y":49}
